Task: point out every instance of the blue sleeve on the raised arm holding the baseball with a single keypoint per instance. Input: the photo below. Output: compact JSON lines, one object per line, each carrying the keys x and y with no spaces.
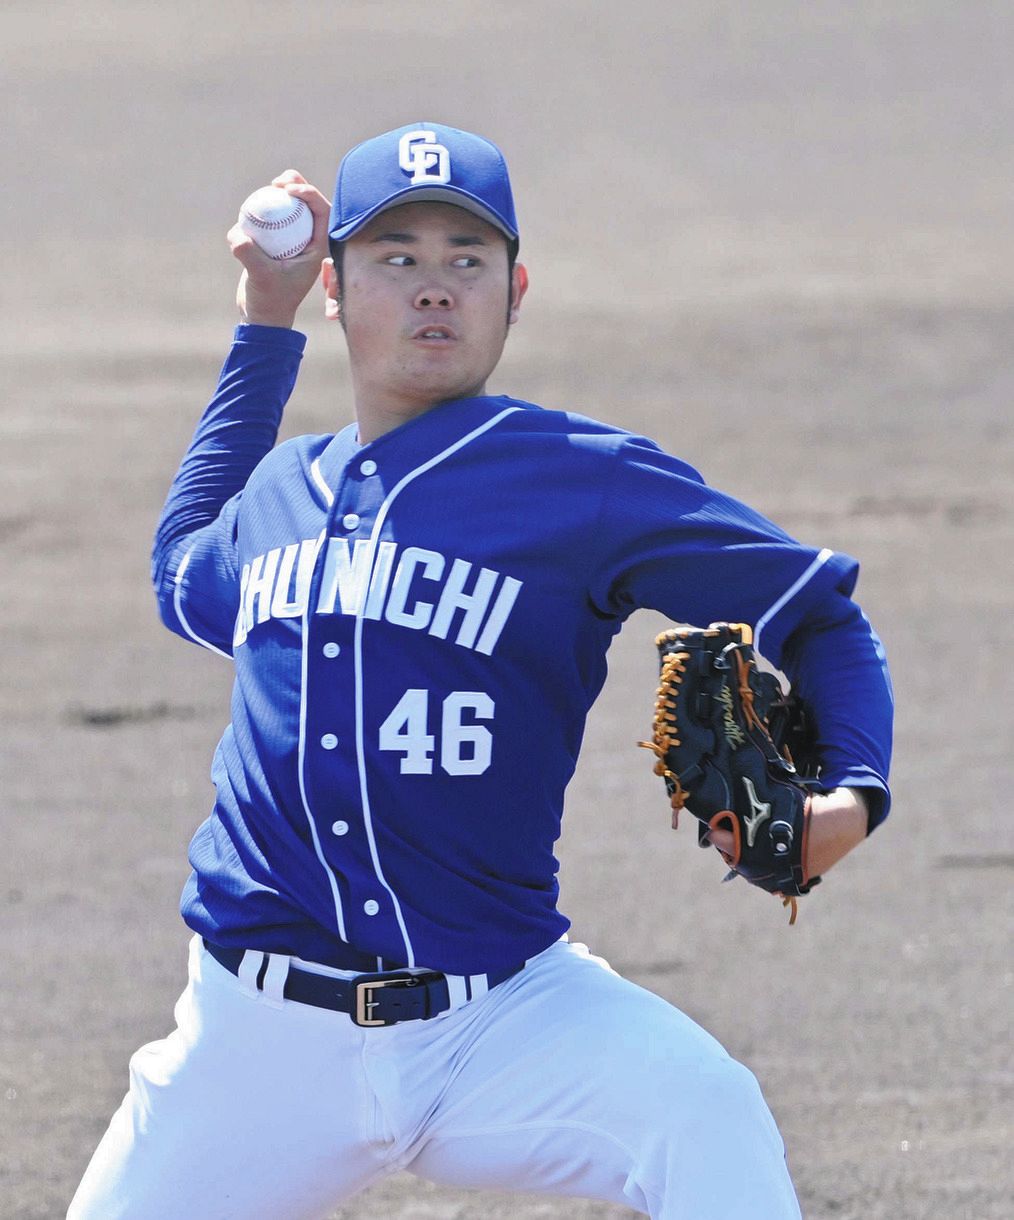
{"x":195,"y":565}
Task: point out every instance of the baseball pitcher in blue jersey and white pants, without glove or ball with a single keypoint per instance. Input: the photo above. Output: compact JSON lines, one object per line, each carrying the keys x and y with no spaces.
{"x":419,"y":609}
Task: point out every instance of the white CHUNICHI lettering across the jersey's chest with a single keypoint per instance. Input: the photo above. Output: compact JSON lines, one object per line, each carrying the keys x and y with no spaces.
{"x":406,"y":586}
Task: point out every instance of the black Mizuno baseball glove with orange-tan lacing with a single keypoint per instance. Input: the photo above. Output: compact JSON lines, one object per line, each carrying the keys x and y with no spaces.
{"x":735,"y":752}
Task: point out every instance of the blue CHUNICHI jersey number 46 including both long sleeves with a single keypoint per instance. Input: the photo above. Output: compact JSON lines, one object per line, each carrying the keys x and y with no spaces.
{"x":419,"y":628}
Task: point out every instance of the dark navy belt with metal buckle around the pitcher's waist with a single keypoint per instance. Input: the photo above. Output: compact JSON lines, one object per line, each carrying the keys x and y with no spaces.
{"x":383,"y":999}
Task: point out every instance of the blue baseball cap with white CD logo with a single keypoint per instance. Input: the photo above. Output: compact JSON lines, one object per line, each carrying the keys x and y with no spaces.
{"x":423,"y":163}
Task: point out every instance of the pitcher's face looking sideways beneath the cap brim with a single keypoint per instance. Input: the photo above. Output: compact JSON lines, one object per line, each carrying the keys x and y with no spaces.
{"x":426,"y":302}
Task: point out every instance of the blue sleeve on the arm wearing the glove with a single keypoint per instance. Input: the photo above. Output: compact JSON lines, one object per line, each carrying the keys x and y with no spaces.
{"x":674,"y":545}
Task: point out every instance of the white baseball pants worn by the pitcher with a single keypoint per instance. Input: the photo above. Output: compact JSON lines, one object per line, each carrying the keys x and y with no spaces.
{"x":564,"y":1080}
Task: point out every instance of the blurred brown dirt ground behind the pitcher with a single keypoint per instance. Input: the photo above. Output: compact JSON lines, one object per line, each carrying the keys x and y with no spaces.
{"x":777,"y":237}
